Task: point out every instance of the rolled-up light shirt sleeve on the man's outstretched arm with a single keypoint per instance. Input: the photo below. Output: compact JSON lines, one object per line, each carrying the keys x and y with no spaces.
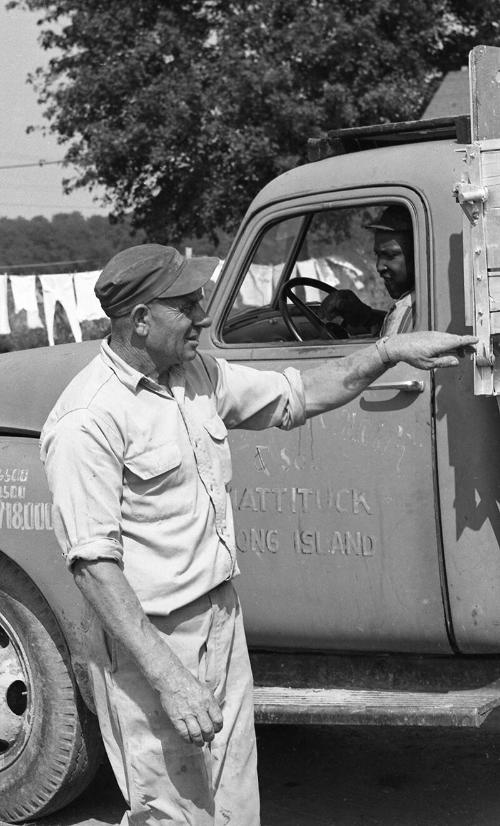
{"x":257,"y":399}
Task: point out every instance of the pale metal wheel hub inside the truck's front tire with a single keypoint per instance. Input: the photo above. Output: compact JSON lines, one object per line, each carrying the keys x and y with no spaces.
{"x":15,"y":696}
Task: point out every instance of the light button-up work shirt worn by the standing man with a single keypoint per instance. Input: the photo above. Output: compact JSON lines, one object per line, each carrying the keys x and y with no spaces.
{"x":139,"y":472}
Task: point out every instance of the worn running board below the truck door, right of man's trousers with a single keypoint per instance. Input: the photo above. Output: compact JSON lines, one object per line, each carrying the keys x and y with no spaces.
{"x":391,"y":708}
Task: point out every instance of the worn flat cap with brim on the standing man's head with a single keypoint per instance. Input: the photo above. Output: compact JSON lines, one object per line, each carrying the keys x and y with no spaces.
{"x":148,"y":271}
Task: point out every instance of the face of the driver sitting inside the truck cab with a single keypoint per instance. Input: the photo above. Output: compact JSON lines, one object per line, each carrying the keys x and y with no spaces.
{"x":394,"y":252}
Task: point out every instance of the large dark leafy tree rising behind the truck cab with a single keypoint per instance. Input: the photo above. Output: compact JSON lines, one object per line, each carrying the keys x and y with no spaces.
{"x":182,"y":109}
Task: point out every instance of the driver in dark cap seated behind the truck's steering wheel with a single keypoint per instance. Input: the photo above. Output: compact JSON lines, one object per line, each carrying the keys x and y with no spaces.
{"x":393,"y":247}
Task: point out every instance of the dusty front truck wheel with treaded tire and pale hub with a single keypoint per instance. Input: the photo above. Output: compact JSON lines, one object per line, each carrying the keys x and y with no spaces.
{"x":50,"y":746}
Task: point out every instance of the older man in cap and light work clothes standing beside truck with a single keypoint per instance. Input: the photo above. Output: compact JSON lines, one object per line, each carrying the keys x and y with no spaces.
{"x":137,"y":460}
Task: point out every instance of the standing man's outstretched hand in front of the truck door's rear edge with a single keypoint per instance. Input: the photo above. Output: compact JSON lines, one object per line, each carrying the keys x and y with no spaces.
{"x":428,"y":350}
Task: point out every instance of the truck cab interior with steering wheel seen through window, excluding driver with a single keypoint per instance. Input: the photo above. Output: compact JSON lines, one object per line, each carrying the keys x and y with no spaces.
{"x":296,"y":263}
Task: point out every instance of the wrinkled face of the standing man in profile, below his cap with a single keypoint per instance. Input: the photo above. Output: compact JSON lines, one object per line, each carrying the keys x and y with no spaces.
{"x":176,"y":324}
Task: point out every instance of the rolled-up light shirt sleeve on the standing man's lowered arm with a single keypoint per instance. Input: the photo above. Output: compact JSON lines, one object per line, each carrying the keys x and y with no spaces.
{"x":84,"y":469}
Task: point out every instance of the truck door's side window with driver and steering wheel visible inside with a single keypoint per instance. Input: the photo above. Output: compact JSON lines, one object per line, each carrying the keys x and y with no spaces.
{"x":364,"y":254}
